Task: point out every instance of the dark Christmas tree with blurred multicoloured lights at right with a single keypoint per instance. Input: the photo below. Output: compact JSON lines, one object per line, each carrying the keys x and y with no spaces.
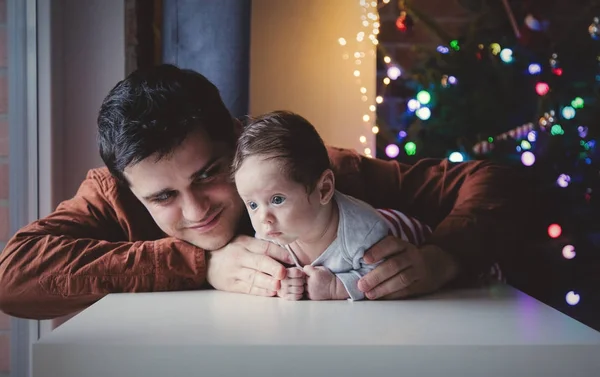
{"x":519,"y":84}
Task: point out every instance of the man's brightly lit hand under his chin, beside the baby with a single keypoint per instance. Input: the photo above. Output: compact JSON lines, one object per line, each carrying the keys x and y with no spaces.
{"x":247,"y":265}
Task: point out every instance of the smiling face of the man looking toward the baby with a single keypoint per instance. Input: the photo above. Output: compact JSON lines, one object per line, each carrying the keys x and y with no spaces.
{"x":189,"y":193}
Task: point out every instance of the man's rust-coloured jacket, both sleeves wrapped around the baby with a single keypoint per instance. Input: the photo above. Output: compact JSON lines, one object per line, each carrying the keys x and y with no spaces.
{"x":104,"y":241}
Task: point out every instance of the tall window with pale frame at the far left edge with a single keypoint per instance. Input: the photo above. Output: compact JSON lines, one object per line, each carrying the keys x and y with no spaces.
{"x":18,"y":158}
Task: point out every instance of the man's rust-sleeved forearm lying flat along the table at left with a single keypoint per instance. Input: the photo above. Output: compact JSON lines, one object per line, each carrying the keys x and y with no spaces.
{"x":45,"y":276}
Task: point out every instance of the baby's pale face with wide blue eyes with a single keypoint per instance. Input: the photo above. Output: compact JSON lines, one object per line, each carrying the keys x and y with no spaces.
{"x":280,"y":209}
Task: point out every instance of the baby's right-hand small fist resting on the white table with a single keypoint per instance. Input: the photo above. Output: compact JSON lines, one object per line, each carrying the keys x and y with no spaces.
{"x":322,"y":284}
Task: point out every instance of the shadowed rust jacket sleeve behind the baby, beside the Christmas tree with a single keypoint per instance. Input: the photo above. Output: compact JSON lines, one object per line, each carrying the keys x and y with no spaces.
{"x":475,"y":208}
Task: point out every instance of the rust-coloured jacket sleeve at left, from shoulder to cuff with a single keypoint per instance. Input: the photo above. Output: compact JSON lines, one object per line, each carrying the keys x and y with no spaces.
{"x":63,"y":263}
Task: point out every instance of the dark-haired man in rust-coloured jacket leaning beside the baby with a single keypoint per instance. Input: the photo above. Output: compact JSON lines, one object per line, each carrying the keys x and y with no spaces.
{"x":164,"y":214}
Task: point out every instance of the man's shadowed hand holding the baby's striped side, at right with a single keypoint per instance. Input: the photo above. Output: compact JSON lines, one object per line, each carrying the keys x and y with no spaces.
{"x":407,"y":271}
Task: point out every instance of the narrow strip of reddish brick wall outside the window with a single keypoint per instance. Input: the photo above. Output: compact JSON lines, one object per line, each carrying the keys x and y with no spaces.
{"x":4,"y":220}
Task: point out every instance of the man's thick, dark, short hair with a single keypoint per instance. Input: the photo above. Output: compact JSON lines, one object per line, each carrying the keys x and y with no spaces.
{"x":152,"y":111}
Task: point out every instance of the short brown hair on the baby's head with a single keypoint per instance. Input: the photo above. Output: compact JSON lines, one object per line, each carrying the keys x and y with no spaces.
{"x":287,"y":137}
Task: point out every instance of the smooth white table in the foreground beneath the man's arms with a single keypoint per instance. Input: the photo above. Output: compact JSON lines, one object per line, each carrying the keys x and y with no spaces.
{"x":496,"y":331}
